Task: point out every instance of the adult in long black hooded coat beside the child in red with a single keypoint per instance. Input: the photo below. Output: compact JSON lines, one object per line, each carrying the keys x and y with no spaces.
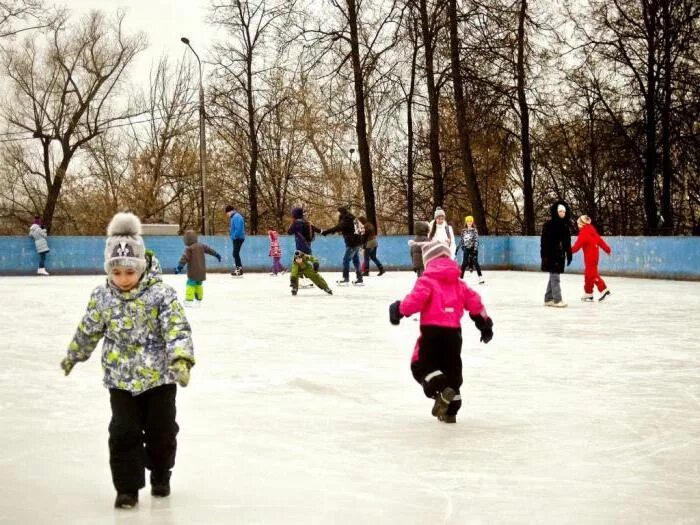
{"x":555,"y":249}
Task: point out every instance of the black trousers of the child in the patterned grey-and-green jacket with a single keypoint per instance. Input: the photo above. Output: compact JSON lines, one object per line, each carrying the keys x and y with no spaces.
{"x":142,"y":434}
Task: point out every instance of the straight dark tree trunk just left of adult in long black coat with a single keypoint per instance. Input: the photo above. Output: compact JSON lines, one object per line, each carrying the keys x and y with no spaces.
{"x":526,"y":150}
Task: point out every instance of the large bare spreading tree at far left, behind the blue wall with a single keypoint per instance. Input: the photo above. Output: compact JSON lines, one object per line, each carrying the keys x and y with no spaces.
{"x":65,"y":93}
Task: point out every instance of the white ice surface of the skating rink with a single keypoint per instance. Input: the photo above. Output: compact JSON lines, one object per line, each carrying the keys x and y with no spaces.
{"x":302,"y":410}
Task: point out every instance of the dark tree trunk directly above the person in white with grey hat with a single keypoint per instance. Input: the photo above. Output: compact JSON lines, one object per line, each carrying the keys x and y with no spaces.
{"x":433,"y":105}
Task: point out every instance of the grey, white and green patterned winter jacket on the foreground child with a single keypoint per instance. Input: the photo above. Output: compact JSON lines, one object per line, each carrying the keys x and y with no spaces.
{"x":145,"y":330}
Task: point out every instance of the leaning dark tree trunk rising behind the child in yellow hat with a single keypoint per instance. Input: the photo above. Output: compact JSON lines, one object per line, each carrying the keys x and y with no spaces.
{"x":463,"y":128}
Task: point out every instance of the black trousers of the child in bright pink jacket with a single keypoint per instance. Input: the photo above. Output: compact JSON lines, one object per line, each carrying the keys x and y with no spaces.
{"x":439,"y":362}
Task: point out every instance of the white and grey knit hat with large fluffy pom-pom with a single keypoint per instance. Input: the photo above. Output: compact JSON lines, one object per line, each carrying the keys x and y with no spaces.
{"x":124,"y":246}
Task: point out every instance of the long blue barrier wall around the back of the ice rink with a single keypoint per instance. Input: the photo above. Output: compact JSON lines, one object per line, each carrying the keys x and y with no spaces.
{"x":655,"y":257}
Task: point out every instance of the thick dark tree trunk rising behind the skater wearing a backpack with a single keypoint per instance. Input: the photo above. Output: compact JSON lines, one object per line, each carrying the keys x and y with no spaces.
{"x":361,"y":124}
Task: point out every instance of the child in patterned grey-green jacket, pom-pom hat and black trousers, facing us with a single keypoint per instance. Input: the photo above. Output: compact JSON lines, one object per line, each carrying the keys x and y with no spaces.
{"x":147,"y":349}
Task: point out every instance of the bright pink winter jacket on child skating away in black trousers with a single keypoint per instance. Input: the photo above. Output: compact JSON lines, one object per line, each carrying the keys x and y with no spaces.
{"x":441,"y":296}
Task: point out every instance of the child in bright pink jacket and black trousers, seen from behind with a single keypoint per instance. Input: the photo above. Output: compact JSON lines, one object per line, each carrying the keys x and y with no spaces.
{"x":441,"y":297}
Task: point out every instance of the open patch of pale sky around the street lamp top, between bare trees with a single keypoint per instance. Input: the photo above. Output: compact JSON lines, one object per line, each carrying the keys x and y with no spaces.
{"x":163,"y":22}
